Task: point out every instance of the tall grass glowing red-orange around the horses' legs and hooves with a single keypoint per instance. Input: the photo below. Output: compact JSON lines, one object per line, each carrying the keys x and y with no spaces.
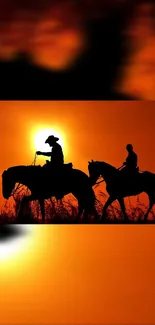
{"x":66,"y":210}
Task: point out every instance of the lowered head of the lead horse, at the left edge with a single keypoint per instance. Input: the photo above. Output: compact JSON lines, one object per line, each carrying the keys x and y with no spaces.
{"x":8,"y":183}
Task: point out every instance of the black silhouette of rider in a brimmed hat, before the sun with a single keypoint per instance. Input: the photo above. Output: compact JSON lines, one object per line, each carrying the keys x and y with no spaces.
{"x":56,"y":154}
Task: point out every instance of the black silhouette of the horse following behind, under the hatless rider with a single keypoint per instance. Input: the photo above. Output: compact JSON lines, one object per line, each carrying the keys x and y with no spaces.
{"x":119,"y":187}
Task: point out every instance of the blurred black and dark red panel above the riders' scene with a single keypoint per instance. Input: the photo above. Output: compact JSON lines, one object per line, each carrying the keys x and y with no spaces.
{"x":75,"y":49}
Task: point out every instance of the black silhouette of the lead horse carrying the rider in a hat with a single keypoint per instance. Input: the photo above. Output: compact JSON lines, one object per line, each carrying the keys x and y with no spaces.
{"x":44,"y":184}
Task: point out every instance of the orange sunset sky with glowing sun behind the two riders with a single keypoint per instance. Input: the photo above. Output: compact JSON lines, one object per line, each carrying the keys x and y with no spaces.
{"x":88,"y":130}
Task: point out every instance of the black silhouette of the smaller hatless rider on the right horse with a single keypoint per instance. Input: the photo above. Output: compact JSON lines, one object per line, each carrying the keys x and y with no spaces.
{"x":130,"y":165}
